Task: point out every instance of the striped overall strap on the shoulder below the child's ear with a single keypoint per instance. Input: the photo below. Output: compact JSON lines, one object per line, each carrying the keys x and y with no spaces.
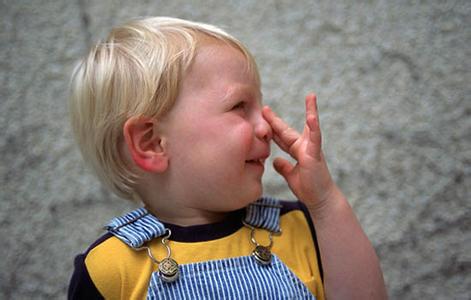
{"x":136,"y":227}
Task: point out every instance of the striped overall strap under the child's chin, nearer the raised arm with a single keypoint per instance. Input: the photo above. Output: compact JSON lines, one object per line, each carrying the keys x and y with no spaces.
{"x":264,"y":213}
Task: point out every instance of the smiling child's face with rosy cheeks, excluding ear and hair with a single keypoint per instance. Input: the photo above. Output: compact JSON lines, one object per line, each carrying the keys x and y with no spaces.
{"x":217,"y":139}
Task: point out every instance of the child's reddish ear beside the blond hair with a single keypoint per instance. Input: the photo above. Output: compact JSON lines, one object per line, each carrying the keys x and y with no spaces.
{"x":145,"y":144}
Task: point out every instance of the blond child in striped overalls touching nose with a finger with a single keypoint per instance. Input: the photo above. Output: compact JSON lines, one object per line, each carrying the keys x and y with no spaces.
{"x":170,"y":112}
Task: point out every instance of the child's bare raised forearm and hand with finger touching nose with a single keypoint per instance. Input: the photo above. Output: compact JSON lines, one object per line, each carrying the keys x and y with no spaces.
{"x":351,"y":267}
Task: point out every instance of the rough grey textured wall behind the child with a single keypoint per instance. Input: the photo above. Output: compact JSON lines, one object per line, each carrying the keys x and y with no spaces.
{"x":393,"y":80}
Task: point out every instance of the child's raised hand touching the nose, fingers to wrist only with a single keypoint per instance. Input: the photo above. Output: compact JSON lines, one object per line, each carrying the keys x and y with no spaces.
{"x":310,"y":178}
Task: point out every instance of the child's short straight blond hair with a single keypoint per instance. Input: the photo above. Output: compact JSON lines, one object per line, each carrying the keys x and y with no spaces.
{"x":136,"y":71}
